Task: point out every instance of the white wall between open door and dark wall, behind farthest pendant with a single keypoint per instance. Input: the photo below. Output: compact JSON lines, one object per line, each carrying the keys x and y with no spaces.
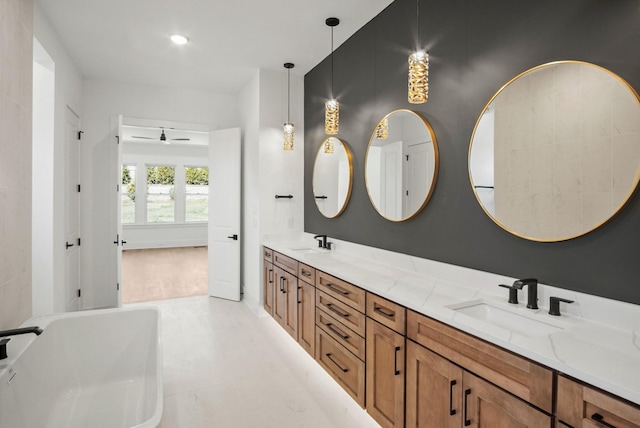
{"x":269,"y":170}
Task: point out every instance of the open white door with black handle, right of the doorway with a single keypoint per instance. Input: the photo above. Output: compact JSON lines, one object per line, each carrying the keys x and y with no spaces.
{"x":224,"y":213}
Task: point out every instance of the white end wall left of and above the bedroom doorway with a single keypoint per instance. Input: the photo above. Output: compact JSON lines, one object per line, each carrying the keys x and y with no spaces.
{"x":102,"y":102}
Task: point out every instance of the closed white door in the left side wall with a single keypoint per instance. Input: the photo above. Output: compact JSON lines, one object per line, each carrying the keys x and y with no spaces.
{"x":72,"y":212}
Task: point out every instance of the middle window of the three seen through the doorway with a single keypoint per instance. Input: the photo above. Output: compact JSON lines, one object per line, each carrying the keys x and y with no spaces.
{"x":160,"y":194}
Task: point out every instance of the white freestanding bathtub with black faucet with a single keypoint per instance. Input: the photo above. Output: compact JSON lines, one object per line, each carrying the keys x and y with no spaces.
{"x":98,"y":368}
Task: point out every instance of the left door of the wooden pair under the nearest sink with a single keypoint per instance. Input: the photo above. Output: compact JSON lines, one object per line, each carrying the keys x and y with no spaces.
{"x":434,"y":390}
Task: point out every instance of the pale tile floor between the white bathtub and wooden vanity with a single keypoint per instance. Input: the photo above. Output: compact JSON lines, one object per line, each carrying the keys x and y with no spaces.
{"x":224,"y":366}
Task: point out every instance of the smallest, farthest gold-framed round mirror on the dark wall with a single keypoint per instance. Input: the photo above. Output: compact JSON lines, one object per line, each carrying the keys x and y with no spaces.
{"x":332,"y":177}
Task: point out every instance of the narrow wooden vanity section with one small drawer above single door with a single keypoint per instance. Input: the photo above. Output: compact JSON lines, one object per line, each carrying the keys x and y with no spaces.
{"x":385,"y":362}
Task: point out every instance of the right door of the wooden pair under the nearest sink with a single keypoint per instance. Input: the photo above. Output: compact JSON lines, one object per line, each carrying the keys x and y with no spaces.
{"x":487,"y":406}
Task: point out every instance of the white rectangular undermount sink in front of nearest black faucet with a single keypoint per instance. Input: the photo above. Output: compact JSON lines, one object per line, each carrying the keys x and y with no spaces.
{"x":515,"y":320}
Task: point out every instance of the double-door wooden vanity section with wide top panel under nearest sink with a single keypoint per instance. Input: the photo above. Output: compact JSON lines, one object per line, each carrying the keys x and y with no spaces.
{"x":475,"y":383}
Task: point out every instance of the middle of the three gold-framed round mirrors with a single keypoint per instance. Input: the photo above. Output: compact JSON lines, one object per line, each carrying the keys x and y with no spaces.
{"x":401,"y":165}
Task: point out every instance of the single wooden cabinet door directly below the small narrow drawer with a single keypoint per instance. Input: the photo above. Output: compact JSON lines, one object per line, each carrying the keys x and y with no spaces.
{"x":385,"y":374}
